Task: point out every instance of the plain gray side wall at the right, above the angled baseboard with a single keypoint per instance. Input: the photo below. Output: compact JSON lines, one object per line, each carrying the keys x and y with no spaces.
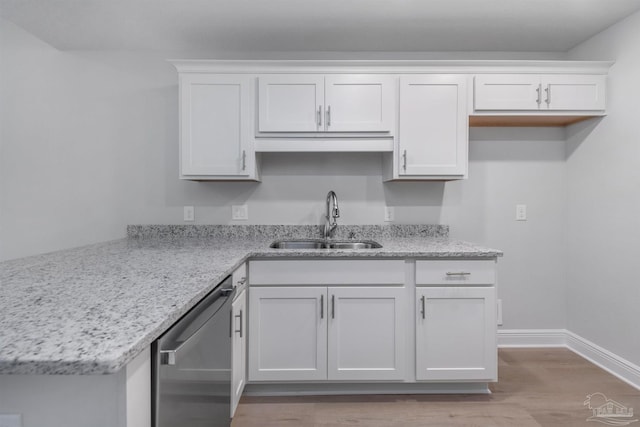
{"x":603,"y":182}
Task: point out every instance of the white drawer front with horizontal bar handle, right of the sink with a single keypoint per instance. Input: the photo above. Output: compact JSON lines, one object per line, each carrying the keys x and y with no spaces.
{"x":455,"y":272}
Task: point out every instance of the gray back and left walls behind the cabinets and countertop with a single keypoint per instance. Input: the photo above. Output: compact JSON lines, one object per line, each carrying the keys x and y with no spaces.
{"x":89,"y":144}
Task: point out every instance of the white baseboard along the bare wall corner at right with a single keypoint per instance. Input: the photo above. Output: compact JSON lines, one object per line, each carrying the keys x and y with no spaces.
{"x":603,"y":358}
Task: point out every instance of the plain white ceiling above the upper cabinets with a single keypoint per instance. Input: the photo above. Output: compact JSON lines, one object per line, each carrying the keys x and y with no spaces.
{"x":317,"y":25}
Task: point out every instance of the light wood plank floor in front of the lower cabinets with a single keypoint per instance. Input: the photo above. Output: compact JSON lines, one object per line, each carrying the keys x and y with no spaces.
{"x":536,"y":387}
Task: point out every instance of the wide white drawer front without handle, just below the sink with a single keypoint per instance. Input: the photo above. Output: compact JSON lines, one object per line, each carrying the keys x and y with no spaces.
{"x":326,"y":272}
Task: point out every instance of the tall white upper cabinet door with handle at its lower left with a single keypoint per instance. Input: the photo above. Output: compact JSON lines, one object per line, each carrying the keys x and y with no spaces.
{"x":433,"y":131}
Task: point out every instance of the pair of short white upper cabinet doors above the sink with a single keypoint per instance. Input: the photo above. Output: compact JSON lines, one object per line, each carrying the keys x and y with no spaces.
{"x":331,"y":103}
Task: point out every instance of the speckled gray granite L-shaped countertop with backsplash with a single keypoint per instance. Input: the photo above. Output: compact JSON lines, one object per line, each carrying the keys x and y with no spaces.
{"x":91,"y":310}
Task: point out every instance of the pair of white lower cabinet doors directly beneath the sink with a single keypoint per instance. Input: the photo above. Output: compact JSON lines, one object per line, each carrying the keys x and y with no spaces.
{"x":309,"y":333}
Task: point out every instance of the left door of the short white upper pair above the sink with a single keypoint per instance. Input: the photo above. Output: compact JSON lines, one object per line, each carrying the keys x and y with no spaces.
{"x":291,"y":103}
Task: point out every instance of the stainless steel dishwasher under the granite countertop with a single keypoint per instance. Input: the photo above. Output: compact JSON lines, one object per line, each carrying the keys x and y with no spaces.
{"x":192,"y":365}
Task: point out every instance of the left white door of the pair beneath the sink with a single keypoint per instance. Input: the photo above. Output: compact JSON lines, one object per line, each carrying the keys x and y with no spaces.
{"x":288,"y":333}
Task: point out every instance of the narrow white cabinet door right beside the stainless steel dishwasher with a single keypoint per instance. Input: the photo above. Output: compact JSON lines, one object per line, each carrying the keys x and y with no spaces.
{"x":238,"y":349}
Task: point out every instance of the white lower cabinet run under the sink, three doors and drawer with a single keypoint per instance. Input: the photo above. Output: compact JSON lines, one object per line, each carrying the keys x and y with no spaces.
{"x":373,"y":321}
